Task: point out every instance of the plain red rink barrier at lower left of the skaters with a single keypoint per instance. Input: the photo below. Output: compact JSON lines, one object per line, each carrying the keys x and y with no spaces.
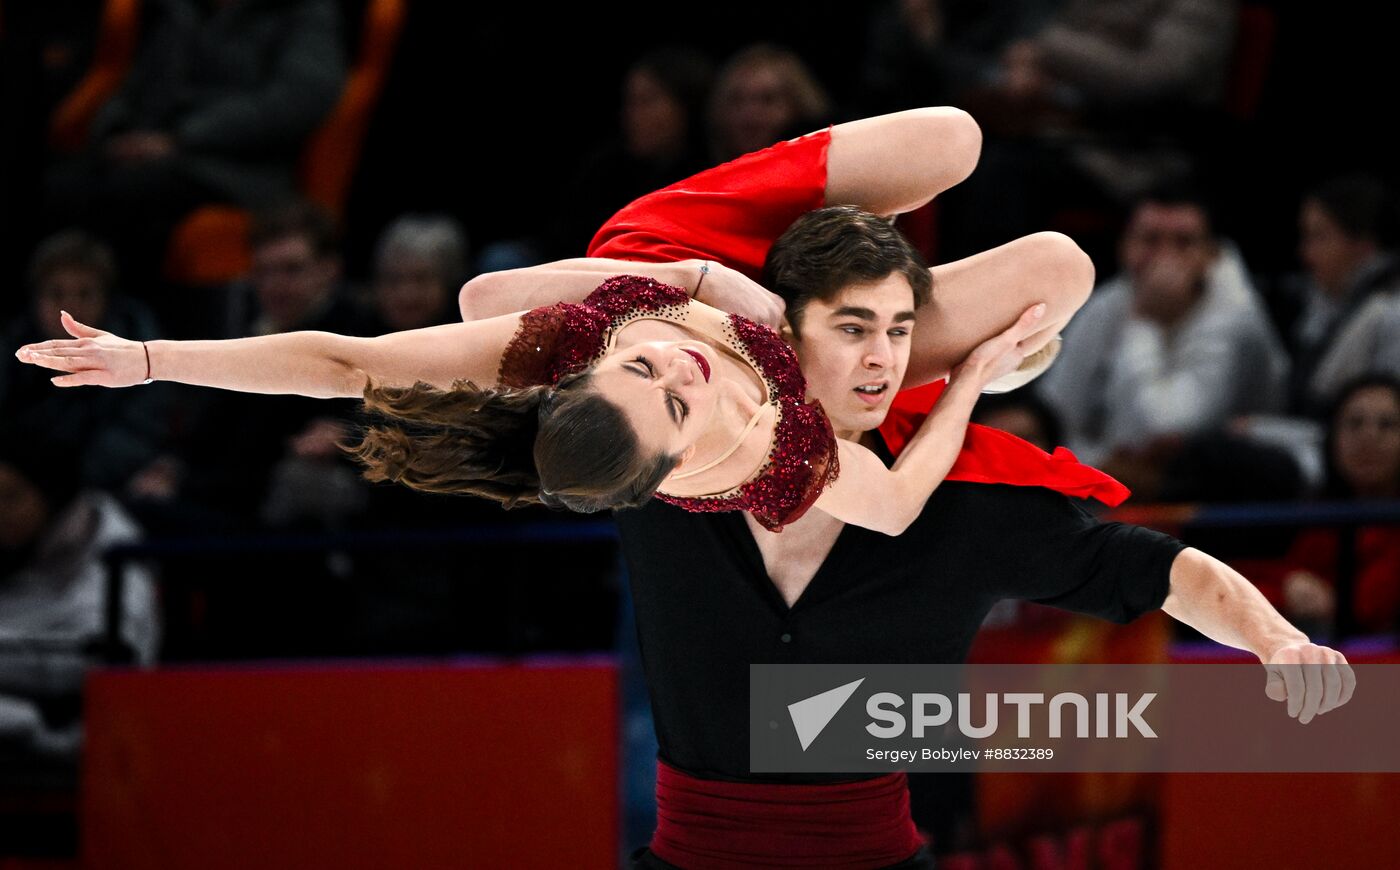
{"x":345,"y":767}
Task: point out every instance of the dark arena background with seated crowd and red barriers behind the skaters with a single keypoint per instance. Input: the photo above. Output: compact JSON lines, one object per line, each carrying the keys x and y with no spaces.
{"x":222,"y":648}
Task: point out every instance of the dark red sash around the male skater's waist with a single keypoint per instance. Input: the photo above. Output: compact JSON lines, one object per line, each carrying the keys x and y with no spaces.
{"x":705,"y":824}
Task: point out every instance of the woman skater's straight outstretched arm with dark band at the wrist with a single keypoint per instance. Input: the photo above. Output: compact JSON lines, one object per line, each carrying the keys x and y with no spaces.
{"x":317,"y":365}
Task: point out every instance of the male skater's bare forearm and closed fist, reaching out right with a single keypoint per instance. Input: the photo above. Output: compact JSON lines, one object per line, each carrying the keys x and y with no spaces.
{"x":1217,"y":602}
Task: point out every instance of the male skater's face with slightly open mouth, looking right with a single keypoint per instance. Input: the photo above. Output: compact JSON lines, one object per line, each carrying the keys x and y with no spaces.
{"x":855,"y":351}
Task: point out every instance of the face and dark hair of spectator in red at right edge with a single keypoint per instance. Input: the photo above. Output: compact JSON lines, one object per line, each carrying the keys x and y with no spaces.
{"x":1367,"y":446}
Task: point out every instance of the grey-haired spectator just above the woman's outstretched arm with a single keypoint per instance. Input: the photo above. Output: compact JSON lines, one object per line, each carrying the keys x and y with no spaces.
{"x":419,"y":265}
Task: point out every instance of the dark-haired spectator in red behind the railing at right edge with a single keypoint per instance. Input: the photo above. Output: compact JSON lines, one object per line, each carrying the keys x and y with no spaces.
{"x":1363,"y":464}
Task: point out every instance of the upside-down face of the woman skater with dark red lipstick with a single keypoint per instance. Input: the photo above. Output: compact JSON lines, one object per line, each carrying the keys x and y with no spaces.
{"x":668,"y":390}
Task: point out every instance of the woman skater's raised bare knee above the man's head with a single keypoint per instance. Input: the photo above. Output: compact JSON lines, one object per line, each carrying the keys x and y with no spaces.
{"x":891,"y":165}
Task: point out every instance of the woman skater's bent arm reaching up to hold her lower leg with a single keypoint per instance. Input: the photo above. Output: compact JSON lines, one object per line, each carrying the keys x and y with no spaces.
{"x":888,"y":499}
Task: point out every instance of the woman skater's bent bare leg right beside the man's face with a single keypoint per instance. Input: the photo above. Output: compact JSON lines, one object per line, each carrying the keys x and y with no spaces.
{"x":983,"y":295}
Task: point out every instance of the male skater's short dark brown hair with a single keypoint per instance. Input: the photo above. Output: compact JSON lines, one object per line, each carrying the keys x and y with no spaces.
{"x":829,"y":250}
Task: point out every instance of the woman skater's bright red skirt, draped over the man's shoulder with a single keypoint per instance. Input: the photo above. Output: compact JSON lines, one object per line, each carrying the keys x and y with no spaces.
{"x":734,"y":214}
